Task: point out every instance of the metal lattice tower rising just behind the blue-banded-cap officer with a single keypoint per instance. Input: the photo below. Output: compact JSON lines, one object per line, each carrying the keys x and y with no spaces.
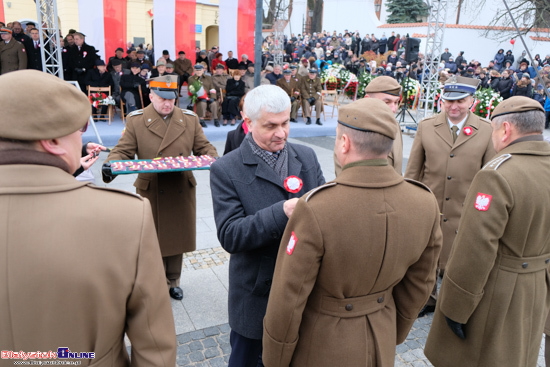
{"x":434,"y":49}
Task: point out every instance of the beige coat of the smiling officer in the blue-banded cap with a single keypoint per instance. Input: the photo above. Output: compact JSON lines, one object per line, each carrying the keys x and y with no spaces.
{"x":447,"y":168}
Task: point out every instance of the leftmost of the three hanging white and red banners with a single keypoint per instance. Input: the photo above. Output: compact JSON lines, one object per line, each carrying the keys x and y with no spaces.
{"x":104,"y":24}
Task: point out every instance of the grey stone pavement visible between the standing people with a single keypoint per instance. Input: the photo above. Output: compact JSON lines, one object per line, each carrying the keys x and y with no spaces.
{"x":201,"y":317}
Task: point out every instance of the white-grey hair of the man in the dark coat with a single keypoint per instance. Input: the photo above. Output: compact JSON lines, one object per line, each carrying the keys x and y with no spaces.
{"x":265,"y":98}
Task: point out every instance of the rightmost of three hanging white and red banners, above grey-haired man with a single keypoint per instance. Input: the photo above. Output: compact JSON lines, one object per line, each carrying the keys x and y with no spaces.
{"x":237,"y":24}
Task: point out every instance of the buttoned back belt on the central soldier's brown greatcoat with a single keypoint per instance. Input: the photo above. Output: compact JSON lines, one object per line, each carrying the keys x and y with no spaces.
{"x":355,"y":306}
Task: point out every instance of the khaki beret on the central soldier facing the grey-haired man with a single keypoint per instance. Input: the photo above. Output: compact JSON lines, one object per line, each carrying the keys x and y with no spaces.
{"x":369,"y":115}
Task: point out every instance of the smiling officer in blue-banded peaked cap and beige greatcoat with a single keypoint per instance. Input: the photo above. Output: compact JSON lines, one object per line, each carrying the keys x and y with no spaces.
{"x":448,"y":150}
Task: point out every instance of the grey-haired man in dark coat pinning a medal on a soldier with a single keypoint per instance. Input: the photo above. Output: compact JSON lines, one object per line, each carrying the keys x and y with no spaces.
{"x":254,"y":191}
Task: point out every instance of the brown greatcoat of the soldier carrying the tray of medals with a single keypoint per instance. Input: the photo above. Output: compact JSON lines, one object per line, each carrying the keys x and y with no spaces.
{"x":172,"y":195}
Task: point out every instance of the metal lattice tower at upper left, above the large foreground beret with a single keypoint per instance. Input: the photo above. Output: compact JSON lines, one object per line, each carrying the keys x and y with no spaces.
{"x":48,"y":27}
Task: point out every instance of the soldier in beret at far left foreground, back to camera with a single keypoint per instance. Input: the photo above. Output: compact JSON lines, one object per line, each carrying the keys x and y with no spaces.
{"x":72,"y":277}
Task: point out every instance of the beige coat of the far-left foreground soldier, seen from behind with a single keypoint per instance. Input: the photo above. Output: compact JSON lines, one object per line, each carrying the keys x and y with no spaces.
{"x":80,"y":267}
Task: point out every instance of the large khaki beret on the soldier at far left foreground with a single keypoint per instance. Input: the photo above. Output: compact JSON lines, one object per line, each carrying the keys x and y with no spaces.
{"x":58,"y":108}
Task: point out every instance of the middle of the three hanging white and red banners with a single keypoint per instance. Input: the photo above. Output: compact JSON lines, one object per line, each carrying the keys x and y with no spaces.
{"x":174,"y":27}
